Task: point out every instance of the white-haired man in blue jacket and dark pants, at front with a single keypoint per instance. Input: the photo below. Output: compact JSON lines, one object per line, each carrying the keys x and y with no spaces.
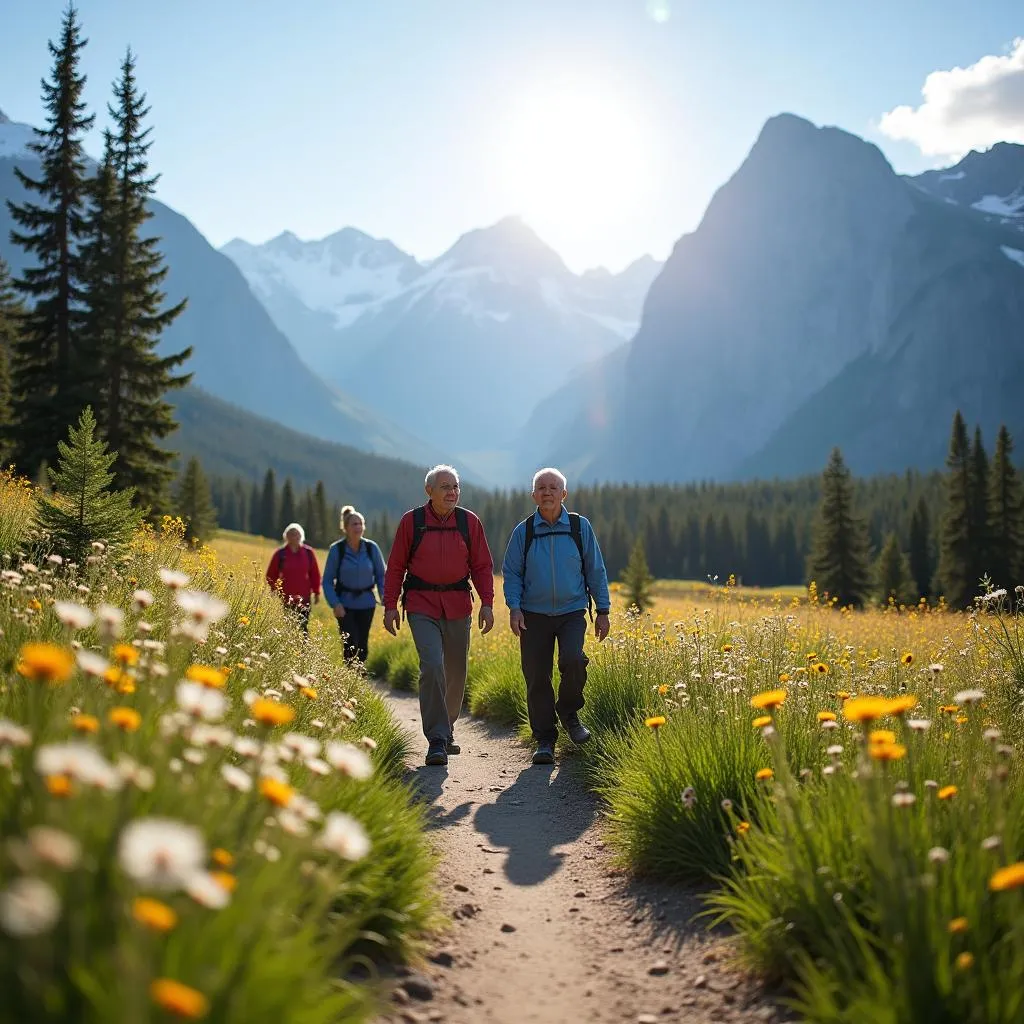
{"x":553,"y":572}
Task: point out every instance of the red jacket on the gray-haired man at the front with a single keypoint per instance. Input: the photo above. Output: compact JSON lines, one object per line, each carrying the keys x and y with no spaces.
{"x":442,"y":558}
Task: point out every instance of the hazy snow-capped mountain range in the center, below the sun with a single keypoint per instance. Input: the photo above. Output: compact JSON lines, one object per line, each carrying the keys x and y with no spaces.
{"x":499,"y":318}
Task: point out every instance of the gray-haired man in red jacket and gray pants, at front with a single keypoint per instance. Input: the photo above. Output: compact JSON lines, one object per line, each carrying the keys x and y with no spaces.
{"x":438,"y":549}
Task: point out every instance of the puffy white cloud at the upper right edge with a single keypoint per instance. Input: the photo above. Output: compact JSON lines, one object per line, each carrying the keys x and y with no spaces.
{"x":966,"y":108}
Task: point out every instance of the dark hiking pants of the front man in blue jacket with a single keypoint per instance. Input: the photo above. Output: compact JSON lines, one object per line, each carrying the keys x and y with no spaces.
{"x":537,"y":648}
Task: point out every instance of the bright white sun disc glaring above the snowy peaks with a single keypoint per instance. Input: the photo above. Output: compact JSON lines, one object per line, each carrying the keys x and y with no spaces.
{"x":576,"y":159}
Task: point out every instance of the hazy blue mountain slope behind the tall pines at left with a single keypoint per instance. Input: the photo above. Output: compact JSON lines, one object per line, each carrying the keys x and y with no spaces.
{"x":239,"y":355}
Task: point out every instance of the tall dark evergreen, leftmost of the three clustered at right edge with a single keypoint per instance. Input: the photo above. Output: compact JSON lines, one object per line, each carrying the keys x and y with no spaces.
{"x":957,"y":552}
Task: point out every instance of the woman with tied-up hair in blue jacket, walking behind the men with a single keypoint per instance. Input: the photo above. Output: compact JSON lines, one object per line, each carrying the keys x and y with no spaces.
{"x":355,"y":567}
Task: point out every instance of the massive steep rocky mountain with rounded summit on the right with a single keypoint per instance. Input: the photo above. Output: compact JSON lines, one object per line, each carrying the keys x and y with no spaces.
{"x":823,"y":301}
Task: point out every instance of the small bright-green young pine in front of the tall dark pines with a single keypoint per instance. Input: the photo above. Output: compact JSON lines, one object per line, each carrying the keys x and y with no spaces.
{"x":81,"y":510}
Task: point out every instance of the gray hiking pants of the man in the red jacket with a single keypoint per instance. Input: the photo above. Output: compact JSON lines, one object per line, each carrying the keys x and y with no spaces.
{"x":444,"y":649}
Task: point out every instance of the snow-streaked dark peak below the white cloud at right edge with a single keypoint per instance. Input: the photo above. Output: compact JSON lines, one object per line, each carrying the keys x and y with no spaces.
{"x":991,"y":183}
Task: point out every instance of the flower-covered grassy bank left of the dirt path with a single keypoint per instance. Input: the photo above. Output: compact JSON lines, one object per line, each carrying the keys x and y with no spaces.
{"x":201,"y":812}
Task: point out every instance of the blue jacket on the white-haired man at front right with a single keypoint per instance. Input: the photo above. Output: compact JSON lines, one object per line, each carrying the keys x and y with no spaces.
{"x":553,"y":583}
